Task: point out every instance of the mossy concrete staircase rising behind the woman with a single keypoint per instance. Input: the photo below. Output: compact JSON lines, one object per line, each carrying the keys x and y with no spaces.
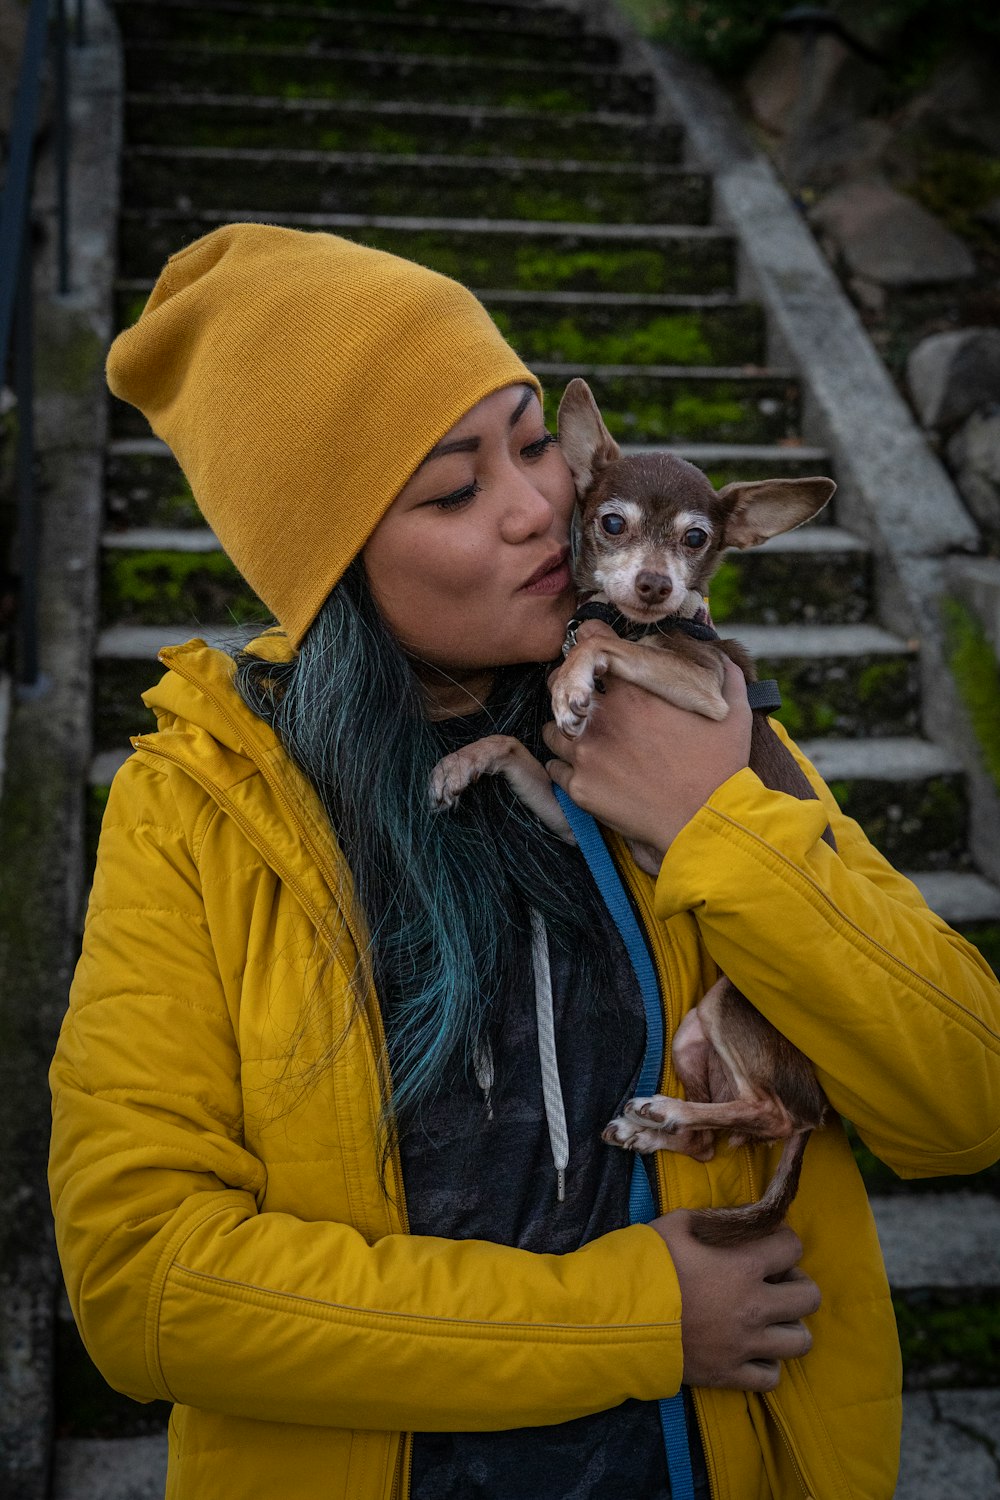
{"x":558,"y":191}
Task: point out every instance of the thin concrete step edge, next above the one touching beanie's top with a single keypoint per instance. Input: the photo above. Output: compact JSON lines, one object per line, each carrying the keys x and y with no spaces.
{"x":383,"y":161}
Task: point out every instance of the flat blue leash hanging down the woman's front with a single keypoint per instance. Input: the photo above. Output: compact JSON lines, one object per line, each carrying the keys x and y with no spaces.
{"x":641,"y":1202}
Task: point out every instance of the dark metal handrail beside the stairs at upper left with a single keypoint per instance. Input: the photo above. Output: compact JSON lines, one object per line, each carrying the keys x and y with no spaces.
{"x":17,"y":283}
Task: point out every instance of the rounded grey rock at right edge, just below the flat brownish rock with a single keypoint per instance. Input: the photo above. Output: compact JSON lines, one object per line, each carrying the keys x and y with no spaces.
{"x":954,"y":374}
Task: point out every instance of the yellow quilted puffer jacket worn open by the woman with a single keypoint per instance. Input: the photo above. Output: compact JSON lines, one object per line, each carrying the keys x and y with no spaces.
{"x":217,"y":1184}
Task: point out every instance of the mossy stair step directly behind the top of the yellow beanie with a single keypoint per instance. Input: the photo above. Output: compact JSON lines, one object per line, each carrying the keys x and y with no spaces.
{"x":484,"y":253}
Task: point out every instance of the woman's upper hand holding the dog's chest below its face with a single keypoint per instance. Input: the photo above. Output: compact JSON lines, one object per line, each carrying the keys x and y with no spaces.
{"x":645,"y":767}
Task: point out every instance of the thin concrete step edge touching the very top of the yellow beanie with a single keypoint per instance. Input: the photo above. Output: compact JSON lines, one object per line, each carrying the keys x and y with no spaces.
{"x":537,"y":229}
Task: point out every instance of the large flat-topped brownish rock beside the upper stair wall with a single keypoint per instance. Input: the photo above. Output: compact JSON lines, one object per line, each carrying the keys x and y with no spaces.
{"x":888,"y":238}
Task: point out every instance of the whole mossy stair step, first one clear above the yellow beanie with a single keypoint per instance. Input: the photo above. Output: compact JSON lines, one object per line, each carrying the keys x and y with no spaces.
{"x":346,"y":182}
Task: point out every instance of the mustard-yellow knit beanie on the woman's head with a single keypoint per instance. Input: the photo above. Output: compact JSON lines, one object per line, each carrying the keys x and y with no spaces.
{"x":301,"y":380}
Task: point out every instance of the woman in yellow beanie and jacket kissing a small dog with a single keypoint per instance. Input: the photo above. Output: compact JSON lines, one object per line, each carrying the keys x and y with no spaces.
{"x":253,"y":1223}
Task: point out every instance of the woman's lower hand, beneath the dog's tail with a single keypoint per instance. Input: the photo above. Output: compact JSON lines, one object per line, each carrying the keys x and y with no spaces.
{"x":741,"y":1310}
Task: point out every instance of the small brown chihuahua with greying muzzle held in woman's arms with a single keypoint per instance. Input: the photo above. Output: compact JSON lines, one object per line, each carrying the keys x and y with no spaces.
{"x":650,"y":533}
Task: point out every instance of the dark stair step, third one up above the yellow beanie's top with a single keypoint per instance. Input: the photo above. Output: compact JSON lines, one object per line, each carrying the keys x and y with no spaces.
{"x":346,"y":74}
